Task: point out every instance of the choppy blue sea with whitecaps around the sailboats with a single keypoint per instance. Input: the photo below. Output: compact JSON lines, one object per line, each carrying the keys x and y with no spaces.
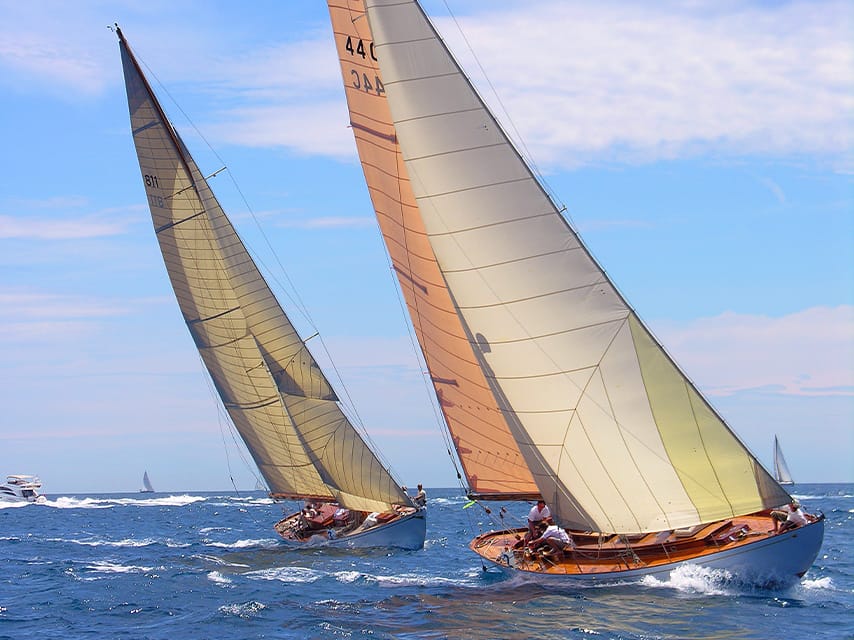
{"x":208,"y":565}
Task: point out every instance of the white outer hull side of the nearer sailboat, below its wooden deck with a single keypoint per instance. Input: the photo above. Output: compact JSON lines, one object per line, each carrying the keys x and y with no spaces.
{"x":778,"y":560}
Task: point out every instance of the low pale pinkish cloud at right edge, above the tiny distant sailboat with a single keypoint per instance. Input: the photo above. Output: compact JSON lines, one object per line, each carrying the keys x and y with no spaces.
{"x":810,"y":352}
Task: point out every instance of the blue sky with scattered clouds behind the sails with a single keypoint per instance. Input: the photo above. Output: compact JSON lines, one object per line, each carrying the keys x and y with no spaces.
{"x":702,"y":149}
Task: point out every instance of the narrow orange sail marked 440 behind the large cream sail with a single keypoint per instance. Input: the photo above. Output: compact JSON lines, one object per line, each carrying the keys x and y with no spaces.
{"x":491,"y":460}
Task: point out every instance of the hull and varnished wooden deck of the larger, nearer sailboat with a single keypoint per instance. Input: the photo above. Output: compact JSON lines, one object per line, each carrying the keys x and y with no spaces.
{"x":756,"y":555}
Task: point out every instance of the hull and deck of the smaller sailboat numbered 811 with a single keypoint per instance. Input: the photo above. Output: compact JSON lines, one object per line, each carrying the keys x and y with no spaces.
{"x":404,"y":532}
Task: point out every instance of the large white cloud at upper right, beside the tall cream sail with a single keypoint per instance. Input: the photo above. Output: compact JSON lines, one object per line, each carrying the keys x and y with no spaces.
{"x":643,"y":82}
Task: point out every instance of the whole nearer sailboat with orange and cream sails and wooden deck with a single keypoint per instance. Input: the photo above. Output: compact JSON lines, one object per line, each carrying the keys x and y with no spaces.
{"x":549,"y":383}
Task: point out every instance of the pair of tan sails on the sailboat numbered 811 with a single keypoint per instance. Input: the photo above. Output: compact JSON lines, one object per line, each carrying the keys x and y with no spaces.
{"x":275,"y":393}
